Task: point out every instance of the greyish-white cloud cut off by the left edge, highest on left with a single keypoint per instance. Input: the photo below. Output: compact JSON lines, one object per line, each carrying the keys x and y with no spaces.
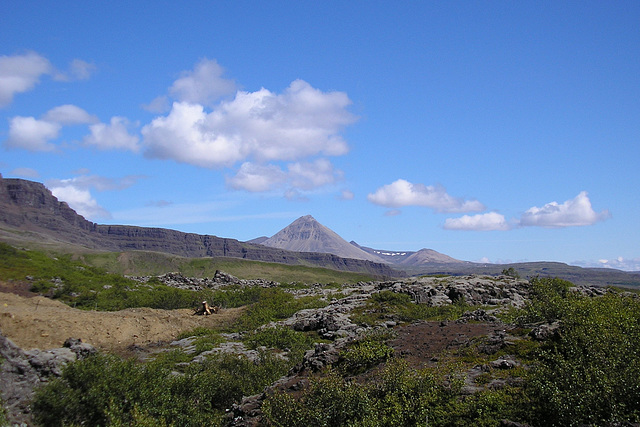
{"x":20,"y":73}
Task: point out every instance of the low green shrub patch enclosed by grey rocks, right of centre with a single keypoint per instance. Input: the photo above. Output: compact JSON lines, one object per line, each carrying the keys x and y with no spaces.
{"x":386,"y":305}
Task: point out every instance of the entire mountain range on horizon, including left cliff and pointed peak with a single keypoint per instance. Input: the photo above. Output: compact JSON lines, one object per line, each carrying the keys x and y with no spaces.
{"x":30,"y":213}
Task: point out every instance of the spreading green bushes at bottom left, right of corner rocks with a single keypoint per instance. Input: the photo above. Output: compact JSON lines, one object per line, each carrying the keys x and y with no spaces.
{"x":105,"y":390}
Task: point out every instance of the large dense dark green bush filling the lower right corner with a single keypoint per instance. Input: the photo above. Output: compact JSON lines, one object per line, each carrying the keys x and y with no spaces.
{"x":591,"y":373}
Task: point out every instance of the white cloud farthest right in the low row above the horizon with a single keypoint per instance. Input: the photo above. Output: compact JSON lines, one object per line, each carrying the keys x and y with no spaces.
{"x":574,"y":212}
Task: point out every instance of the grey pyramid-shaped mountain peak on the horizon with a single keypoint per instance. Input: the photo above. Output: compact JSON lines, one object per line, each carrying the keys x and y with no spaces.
{"x":307,"y":235}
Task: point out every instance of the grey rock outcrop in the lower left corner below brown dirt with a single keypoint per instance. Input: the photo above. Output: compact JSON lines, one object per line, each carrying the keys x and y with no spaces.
{"x":23,"y":371}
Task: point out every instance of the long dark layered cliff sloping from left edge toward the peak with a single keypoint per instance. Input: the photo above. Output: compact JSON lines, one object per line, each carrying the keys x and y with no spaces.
{"x":30,"y":206}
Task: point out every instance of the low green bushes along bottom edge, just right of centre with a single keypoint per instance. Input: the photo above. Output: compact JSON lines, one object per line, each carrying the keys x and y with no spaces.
{"x":399,"y":396}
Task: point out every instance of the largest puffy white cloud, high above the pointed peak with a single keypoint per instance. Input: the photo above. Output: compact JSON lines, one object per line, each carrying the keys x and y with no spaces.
{"x":299,"y":123}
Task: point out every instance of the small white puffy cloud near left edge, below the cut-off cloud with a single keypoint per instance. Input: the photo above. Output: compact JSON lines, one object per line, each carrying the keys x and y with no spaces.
{"x":32,"y":134}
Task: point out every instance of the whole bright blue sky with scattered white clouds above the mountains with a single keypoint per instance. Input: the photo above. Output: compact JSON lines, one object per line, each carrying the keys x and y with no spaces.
{"x":488,"y":131}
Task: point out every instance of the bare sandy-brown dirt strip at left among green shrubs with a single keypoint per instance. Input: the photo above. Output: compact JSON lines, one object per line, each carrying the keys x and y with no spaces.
{"x":39,"y":322}
